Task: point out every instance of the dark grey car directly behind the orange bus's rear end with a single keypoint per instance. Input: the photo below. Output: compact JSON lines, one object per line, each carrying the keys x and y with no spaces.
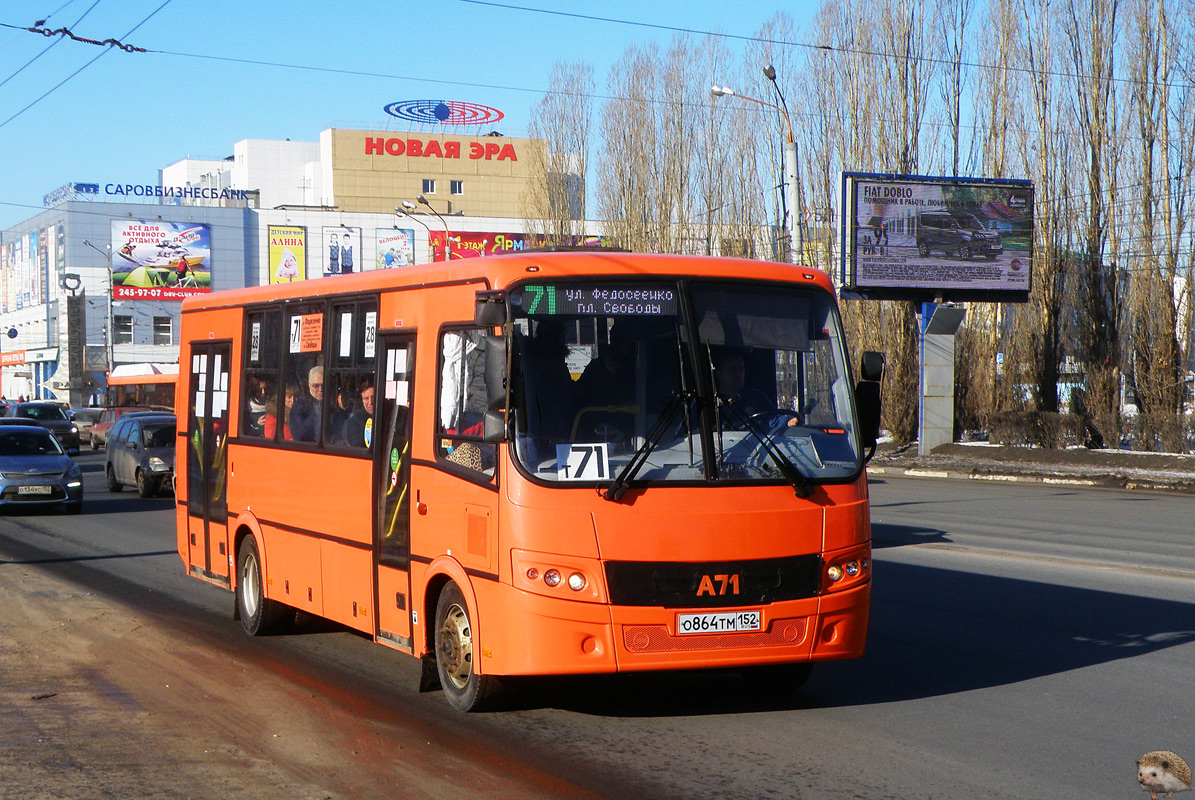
{"x":140,"y":453}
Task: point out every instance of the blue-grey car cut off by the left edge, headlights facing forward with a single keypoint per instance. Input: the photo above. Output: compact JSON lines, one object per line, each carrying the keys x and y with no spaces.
{"x":36,"y":472}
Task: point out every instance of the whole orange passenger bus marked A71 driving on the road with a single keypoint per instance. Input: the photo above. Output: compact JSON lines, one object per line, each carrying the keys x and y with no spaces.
{"x":538,"y":463}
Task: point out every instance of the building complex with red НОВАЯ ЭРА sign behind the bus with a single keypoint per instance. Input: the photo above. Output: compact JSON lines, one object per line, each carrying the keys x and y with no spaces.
{"x":99,"y":278}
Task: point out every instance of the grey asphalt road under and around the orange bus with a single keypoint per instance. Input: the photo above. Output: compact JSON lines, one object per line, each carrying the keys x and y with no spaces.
{"x":1026,"y":642}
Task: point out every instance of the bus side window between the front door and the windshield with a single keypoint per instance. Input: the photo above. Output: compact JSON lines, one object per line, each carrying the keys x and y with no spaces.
{"x":463,"y":402}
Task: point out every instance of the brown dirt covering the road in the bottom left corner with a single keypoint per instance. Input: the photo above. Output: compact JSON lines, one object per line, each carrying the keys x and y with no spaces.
{"x":102,"y":701}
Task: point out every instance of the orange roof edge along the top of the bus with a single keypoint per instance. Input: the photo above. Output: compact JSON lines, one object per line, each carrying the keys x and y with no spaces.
{"x":505,"y":270}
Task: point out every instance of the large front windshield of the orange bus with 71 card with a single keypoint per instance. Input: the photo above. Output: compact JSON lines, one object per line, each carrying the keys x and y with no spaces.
{"x":694,"y":382}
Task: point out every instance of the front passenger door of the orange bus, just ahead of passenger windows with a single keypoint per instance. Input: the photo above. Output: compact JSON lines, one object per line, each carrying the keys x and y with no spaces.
{"x":393,"y":484}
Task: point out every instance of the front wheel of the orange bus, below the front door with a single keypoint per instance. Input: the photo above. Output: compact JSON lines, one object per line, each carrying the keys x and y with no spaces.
{"x":465,"y":689}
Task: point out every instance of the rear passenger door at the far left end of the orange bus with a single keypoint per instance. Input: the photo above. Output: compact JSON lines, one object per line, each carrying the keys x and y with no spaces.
{"x":207,"y":466}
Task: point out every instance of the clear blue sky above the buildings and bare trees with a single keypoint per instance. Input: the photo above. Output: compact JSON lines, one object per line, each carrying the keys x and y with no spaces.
{"x":130,"y":114}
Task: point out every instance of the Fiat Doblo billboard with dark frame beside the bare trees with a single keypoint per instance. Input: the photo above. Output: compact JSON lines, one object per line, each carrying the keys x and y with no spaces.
{"x":917,"y":237}
